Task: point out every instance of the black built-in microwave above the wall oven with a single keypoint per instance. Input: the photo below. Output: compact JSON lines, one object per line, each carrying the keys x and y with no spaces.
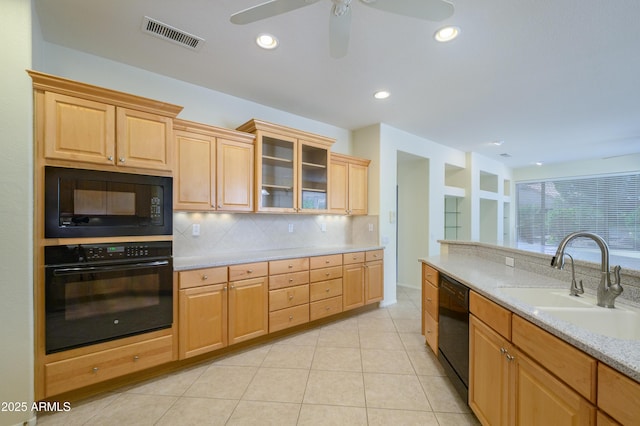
{"x":90,"y":203}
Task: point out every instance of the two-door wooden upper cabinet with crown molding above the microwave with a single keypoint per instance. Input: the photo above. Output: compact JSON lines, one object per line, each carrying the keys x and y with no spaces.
{"x":76,"y":122}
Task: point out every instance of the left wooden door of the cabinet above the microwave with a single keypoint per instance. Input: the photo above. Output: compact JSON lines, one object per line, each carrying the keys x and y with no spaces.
{"x":79,"y":130}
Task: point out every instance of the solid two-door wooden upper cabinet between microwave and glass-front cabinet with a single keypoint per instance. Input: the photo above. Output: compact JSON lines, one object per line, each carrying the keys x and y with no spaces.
{"x":214,"y":168}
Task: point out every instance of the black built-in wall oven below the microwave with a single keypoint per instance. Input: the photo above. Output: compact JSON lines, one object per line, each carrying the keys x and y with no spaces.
{"x":100,"y":292}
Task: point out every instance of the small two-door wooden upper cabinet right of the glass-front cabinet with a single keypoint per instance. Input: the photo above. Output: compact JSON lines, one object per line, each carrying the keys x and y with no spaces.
{"x":349,"y":185}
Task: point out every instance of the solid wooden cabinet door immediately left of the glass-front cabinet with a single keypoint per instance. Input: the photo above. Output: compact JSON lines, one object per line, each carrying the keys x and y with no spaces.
{"x":234,"y":174}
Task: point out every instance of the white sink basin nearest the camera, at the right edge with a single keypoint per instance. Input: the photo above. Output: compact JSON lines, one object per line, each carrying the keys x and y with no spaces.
{"x":620,"y":323}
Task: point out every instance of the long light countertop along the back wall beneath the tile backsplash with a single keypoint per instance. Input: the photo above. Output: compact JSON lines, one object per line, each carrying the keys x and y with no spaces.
{"x":184,"y":263}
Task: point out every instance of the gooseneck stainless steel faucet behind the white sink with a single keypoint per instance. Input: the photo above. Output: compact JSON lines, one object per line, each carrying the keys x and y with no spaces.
{"x":607,"y":291}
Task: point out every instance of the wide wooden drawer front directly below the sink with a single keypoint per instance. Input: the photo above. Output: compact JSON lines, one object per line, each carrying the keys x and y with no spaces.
{"x":571,"y":365}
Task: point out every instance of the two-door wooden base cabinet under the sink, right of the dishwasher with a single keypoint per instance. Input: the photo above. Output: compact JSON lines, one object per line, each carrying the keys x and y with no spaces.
{"x":506,"y":387}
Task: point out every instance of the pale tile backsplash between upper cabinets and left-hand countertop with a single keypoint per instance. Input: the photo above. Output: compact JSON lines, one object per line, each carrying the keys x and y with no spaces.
{"x":233,"y":233}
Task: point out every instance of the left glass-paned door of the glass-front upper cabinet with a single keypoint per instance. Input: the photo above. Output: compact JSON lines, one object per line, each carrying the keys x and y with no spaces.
{"x":276,"y":173}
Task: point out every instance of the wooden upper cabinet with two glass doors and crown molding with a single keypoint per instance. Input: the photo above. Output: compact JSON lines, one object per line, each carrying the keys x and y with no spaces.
{"x":292,"y":169}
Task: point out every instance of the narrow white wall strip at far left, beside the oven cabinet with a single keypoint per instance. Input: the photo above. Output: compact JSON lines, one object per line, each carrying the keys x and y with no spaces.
{"x":16,"y":211}
